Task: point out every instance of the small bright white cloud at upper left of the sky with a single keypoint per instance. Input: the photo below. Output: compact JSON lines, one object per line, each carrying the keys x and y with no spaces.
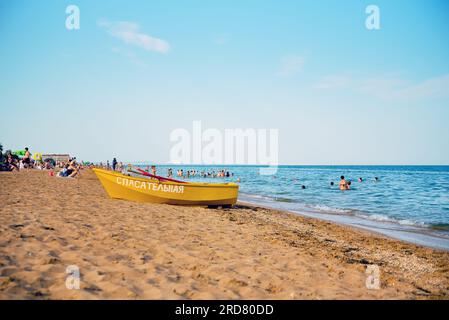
{"x":129,"y":33}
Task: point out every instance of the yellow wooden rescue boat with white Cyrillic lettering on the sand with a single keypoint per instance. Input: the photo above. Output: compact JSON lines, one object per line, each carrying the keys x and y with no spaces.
{"x":153,"y":190}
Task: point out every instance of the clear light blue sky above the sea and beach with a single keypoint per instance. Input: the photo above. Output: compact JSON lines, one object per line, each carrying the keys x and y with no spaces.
{"x":136,"y":70}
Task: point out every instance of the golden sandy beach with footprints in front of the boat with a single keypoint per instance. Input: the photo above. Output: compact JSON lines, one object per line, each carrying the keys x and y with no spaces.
{"x":128,"y":250}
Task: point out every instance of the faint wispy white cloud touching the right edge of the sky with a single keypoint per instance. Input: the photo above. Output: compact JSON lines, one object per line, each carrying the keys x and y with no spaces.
{"x":387,"y":87}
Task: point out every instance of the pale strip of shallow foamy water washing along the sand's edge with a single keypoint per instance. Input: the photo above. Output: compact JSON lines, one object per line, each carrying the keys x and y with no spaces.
{"x":424,"y":236}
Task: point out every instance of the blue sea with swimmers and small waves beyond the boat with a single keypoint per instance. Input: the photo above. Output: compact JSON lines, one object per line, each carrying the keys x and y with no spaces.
{"x":409,"y":203}
